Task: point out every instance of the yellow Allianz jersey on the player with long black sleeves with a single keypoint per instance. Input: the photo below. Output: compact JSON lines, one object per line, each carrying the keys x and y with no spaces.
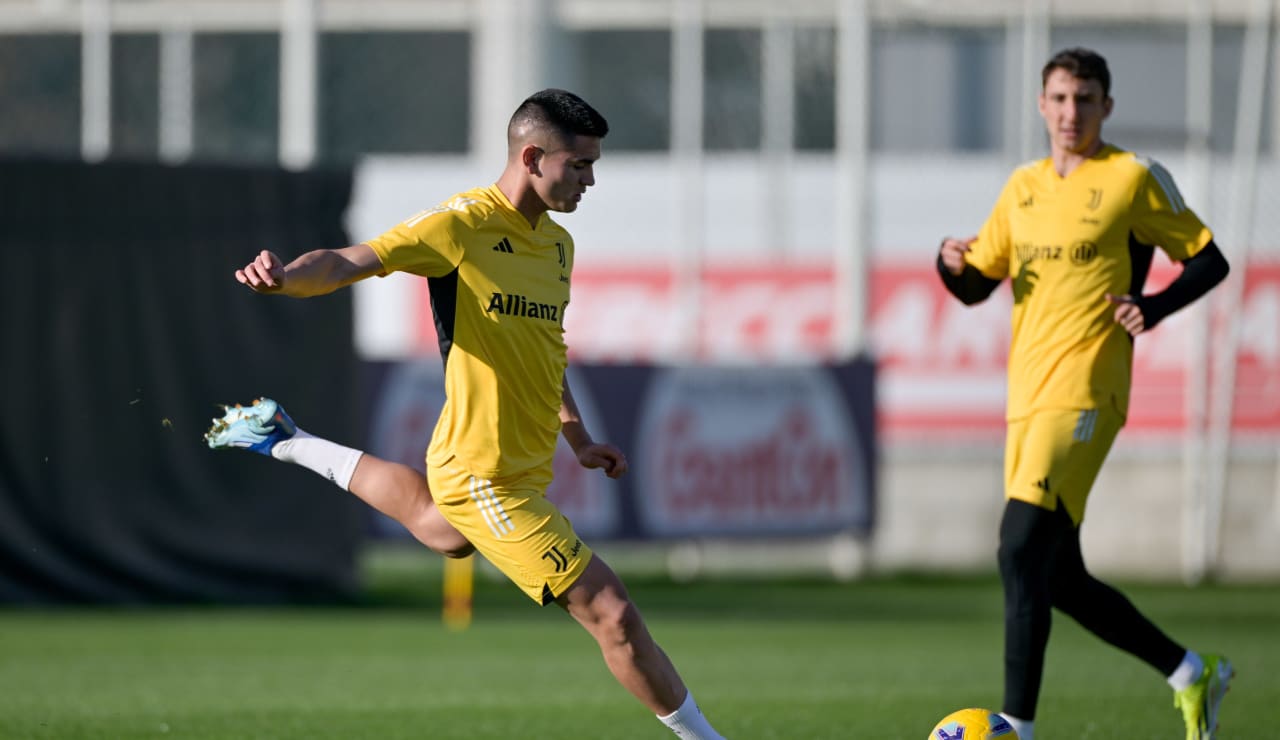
{"x":1067,"y":243}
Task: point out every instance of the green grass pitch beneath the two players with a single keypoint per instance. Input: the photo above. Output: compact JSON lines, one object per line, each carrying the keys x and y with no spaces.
{"x":787,"y":660}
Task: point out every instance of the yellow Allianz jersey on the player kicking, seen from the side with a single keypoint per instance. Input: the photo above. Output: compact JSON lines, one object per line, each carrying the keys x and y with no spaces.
{"x":499,"y":291}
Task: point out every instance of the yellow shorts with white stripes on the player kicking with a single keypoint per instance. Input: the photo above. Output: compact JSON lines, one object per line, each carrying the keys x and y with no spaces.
{"x":514,"y":527}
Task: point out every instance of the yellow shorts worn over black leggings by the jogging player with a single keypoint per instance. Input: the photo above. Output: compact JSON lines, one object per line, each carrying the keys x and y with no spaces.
{"x":1055,"y":455}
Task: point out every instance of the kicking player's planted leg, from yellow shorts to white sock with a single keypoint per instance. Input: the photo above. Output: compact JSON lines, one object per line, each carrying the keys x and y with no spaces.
{"x":600,"y":602}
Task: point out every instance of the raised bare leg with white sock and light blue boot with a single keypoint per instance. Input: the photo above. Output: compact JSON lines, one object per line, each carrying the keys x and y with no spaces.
{"x":395,"y":490}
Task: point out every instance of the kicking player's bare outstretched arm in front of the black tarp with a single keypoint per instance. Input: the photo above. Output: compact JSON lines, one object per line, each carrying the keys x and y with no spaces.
{"x":316,"y":273}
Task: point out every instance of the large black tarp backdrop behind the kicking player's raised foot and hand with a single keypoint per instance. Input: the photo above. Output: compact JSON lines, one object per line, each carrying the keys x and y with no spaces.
{"x":122,"y":328}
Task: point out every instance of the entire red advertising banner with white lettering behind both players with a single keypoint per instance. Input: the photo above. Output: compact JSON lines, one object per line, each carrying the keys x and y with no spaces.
{"x":941,"y":366}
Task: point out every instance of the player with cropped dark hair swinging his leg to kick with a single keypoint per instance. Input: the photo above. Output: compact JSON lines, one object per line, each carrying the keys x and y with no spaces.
{"x":499,"y":269}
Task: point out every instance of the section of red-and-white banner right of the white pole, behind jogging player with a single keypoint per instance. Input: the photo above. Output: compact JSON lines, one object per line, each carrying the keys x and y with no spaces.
{"x":941,"y":366}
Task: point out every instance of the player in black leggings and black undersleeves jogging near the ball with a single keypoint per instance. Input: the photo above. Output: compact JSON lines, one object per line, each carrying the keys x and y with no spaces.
{"x":1076,"y":235}
